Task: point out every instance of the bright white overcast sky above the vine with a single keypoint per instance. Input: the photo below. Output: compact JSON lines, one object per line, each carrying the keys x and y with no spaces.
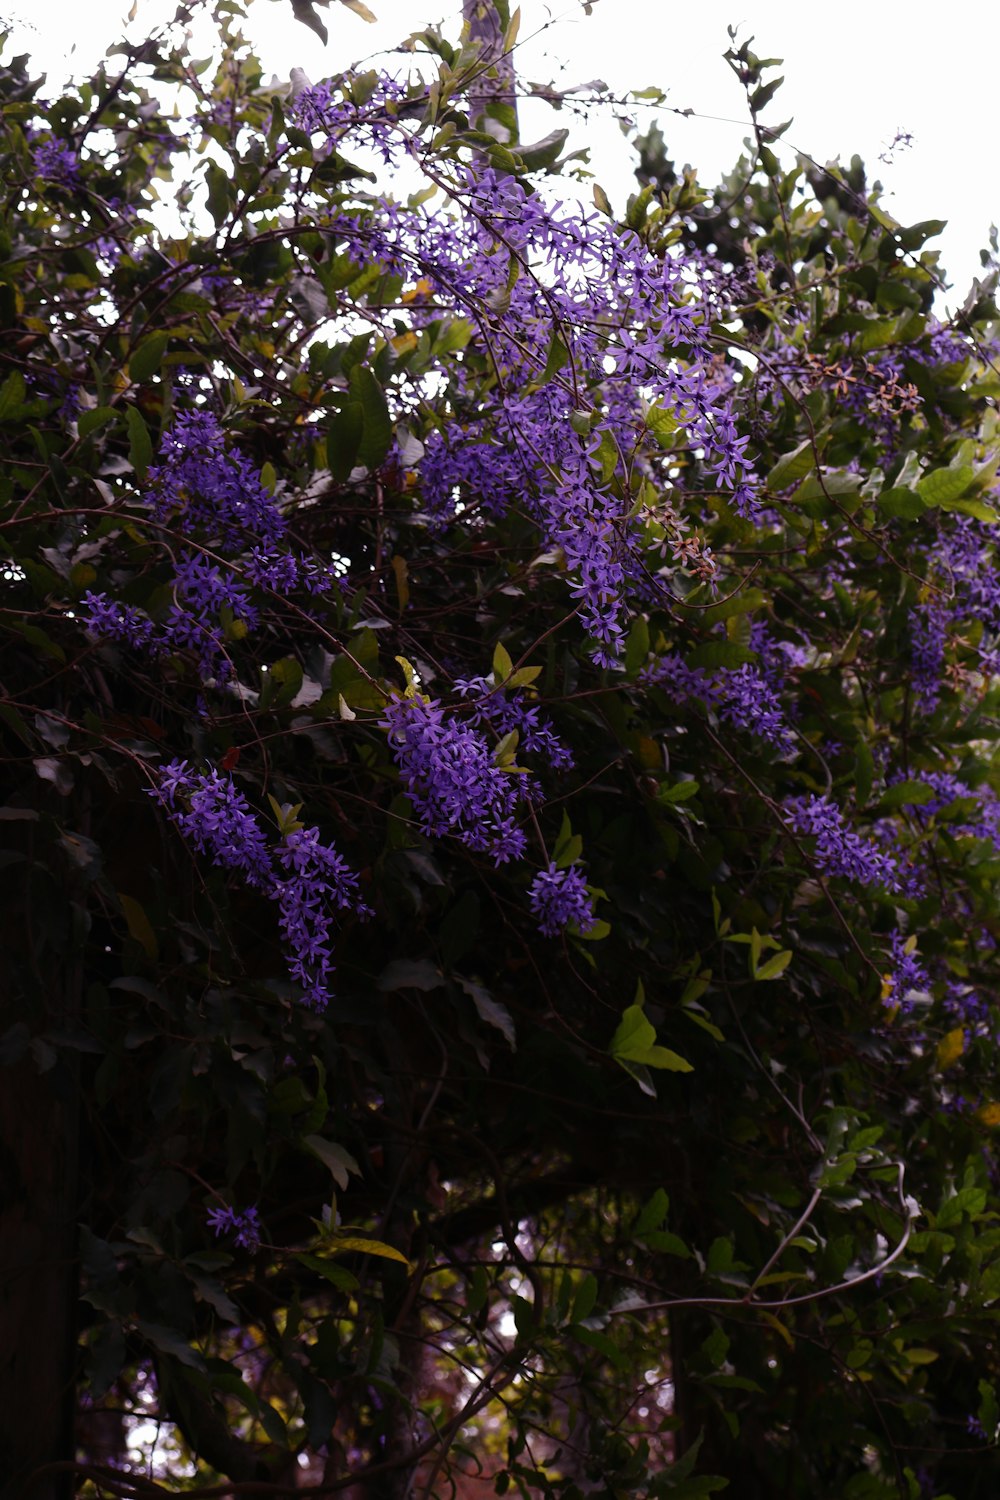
{"x":854,"y":76}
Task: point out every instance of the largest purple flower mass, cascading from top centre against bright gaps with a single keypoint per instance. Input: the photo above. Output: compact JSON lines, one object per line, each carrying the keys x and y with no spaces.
{"x":626,"y":331}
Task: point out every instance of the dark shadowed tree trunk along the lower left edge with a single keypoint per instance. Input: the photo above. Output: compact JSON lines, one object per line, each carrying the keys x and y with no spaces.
{"x":40,"y":1172}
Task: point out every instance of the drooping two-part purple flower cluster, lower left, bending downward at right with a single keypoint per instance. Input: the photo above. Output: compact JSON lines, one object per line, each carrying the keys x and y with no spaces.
{"x":307,"y":878}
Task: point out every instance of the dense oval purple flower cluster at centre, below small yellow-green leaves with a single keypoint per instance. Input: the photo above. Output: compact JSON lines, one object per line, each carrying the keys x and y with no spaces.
{"x":454,"y":781}
